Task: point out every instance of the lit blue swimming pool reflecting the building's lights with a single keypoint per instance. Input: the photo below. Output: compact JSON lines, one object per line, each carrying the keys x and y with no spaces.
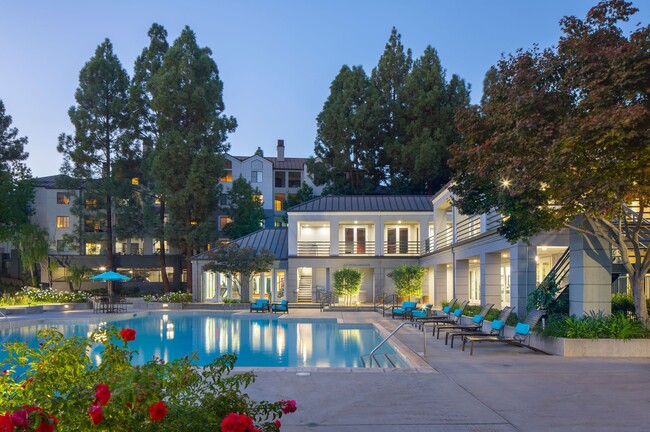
{"x":258,"y":342}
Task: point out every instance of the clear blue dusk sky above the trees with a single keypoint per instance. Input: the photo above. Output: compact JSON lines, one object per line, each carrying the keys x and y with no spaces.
{"x":276,"y":58}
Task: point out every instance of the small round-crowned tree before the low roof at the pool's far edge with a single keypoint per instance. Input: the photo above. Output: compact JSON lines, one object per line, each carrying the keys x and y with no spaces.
{"x":239,"y":264}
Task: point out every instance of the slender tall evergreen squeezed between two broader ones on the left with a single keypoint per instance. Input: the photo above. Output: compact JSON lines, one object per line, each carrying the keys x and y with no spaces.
{"x":145,"y":131}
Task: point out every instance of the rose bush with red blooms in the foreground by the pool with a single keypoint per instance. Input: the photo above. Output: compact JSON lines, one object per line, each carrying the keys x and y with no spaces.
{"x":57,"y":387}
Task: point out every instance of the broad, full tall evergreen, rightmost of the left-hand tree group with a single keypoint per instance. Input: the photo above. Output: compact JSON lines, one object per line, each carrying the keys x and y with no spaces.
{"x":188,"y":157}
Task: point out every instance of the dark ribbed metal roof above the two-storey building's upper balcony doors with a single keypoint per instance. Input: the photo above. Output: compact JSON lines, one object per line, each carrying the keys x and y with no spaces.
{"x":366,"y":203}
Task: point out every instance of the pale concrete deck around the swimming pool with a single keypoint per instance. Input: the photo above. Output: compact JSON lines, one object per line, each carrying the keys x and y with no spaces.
{"x":499,"y":388}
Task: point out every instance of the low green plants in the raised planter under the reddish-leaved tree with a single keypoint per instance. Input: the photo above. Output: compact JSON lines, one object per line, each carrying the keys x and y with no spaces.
{"x":595,"y":326}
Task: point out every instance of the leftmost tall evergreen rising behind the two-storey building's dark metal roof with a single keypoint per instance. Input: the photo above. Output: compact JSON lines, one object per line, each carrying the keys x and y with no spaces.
{"x":346,"y":150}
